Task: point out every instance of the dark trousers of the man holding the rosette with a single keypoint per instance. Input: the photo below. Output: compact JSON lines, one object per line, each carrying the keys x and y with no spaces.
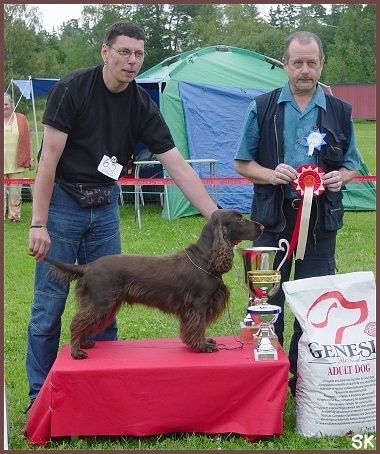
{"x":319,"y":260}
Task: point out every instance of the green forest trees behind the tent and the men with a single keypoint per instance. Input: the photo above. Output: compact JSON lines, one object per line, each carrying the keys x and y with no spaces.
{"x":347,"y":32}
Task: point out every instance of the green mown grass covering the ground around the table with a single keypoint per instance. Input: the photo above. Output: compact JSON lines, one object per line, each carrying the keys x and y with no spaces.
{"x":355,"y":252}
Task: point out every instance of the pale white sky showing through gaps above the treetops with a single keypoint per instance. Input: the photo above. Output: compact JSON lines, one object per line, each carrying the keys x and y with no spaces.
{"x":55,"y":14}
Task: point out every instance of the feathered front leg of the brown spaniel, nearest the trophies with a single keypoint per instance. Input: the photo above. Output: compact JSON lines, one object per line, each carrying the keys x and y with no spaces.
{"x":192,"y":332}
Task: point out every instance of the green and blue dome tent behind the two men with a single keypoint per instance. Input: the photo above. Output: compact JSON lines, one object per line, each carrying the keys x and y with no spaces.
{"x":203,"y":96}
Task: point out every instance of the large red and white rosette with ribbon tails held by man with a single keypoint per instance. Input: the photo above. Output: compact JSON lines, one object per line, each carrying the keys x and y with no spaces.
{"x":308,"y":184}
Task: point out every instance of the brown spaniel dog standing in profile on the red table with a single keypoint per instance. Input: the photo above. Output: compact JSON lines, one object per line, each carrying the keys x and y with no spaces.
{"x":188,"y":283}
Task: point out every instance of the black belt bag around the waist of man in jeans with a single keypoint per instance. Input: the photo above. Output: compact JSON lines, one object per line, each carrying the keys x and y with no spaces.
{"x":88,"y":195}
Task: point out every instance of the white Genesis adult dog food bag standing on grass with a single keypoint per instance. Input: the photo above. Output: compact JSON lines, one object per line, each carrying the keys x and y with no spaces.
{"x":336,"y":392}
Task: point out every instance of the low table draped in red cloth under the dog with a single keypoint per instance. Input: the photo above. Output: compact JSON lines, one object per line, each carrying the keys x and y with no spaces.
{"x":157,"y":386}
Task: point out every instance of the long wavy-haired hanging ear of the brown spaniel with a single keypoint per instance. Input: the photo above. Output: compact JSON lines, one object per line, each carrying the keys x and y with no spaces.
{"x":221,"y":256}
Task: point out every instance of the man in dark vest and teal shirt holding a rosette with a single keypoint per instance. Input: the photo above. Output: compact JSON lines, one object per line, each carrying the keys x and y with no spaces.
{"x":286,"y":131}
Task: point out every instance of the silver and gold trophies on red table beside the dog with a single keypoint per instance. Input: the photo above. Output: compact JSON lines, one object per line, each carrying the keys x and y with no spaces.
{"x":263,"y":281}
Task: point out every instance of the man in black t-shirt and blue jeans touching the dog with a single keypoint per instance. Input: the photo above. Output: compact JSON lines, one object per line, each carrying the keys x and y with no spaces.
{"x":93,"y":120}
